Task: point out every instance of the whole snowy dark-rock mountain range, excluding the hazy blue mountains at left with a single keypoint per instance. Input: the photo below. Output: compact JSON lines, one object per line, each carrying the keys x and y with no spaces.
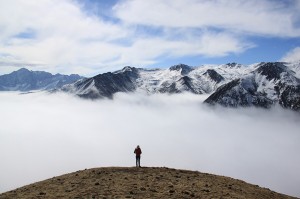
{"x":262,"y":85}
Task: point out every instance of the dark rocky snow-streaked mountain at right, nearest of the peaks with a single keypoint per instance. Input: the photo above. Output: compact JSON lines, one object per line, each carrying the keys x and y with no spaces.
{"x":266,"y":85}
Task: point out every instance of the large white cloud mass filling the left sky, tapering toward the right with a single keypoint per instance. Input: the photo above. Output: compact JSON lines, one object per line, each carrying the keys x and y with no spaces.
{"x":61,"y":37}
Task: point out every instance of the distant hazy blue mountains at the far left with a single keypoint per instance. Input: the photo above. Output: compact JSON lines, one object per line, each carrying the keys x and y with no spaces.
{"x":25,"y":80}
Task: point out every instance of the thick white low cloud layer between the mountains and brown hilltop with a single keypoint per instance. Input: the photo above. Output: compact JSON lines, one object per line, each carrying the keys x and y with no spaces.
{"x":46,"y":135}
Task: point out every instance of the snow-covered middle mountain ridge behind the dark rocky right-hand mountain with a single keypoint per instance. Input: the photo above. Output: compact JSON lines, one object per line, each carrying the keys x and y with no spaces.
{"x":177,"y":79}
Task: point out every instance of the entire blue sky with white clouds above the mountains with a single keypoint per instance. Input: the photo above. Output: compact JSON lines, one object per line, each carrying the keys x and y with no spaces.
{"x":94,"y":36}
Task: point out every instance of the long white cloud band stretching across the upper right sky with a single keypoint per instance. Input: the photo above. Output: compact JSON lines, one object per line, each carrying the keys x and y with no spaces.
{"x":254,"y":17}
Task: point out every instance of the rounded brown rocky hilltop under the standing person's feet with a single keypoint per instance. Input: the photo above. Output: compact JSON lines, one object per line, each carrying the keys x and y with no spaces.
{"x":121,"y":182}
